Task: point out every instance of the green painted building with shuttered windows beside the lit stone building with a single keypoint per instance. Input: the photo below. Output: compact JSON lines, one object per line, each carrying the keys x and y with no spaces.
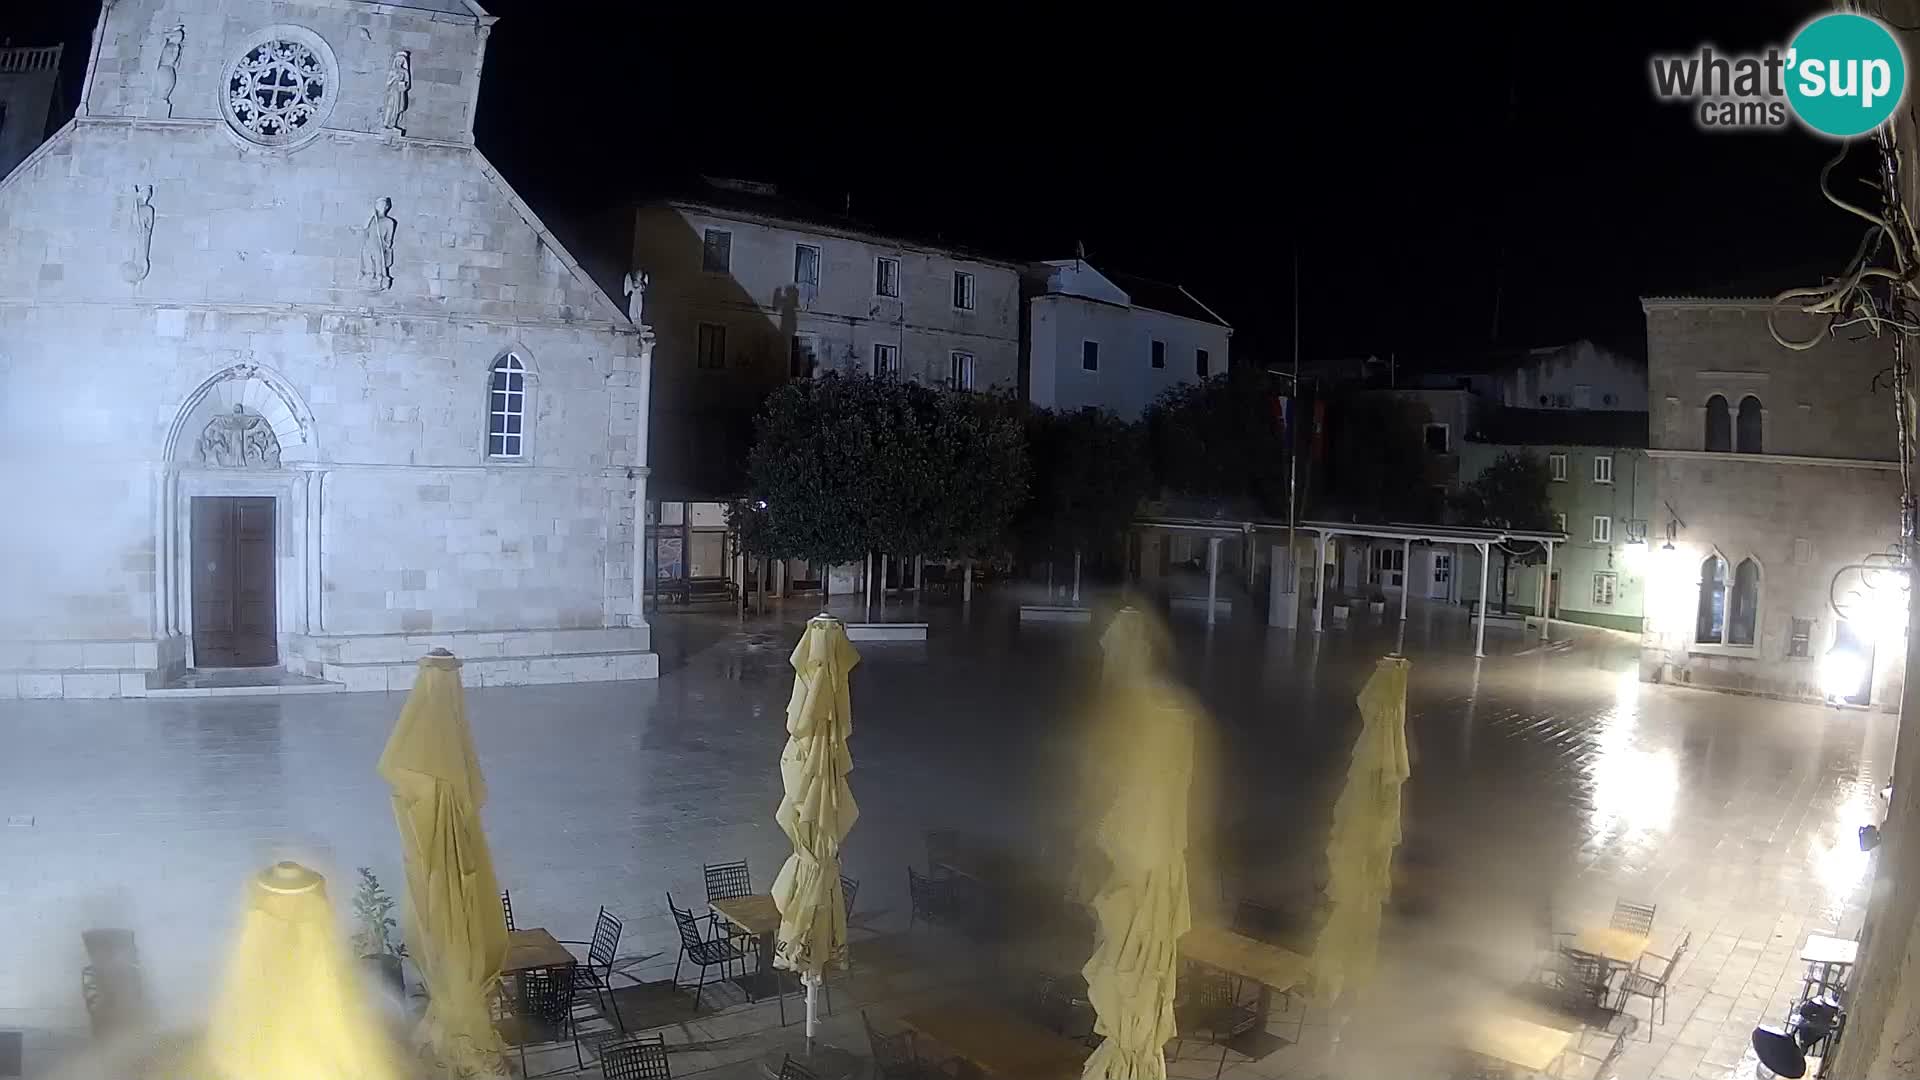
{"x":1602,"y":495}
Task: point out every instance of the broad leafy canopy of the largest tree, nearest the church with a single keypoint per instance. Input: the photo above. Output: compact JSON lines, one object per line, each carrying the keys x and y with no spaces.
{"x":848,"y":464}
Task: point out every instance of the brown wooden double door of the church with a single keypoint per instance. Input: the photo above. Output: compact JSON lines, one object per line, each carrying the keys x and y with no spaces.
{"x":233,"y":581}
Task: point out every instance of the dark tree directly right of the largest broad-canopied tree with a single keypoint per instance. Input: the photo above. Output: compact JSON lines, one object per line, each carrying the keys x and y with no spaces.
{"x":1090,"y":478}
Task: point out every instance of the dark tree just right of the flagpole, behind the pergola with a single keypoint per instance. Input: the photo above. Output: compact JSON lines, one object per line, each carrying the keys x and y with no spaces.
{"x":1380,"y":462}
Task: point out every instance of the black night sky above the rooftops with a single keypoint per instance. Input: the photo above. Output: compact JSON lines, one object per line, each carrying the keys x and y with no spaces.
{"x":1414,"y":159}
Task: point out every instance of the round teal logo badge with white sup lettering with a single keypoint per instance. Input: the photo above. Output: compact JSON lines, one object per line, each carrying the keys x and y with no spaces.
{"x":1846,"y":74}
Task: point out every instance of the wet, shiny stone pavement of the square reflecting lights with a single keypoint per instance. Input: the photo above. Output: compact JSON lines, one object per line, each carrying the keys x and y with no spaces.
{"x":1545,"y":779}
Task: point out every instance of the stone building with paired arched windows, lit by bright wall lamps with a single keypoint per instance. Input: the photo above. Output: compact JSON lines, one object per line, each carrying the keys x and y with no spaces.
{"x":1779,"y":497}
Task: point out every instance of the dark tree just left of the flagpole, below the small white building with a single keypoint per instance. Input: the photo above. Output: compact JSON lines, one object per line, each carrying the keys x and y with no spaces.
{"x":1220,"y":437}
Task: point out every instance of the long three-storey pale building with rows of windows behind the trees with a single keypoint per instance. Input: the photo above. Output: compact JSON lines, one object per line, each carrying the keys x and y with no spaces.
{"x":748,"y":291}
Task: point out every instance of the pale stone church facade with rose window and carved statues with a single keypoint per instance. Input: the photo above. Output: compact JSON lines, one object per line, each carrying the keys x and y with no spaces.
{"x":289,"y":376}
